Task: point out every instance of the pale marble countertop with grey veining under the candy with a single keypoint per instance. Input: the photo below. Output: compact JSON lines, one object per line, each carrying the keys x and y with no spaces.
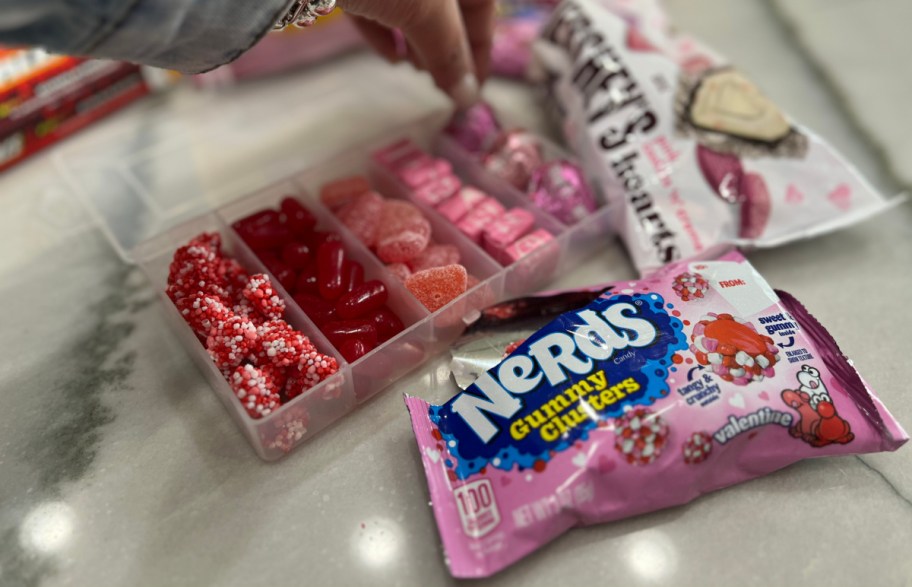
{"x":118,"y":466}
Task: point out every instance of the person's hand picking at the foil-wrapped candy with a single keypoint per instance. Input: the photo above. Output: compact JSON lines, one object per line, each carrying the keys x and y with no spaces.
{"x":450,"y":39}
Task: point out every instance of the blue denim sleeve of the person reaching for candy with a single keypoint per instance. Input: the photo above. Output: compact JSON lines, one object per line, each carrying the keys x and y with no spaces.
{"x":192,"y":36}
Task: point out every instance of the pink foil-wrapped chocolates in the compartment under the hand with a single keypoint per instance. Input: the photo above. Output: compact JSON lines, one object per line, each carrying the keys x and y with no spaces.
{"x":549,"y":180}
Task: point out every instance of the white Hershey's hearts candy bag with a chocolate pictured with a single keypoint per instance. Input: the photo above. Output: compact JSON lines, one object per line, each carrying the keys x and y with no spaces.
{"x":696,"y":153}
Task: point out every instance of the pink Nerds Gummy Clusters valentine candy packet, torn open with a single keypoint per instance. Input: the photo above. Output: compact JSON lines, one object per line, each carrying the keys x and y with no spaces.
{"x":696,"y":378}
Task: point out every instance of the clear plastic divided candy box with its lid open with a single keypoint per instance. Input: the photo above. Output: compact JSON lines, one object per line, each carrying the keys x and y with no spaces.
{"x":165,"y":172}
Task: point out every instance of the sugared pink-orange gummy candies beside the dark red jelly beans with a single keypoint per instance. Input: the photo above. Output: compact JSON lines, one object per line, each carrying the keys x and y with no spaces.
{"x":400,"y":235}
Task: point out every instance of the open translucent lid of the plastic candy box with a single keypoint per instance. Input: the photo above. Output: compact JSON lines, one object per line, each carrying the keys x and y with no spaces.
{"x":177,"y":155}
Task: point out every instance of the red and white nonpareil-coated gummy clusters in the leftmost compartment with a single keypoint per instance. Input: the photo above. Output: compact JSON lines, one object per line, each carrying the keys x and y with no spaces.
{"x":240,"y":320}
